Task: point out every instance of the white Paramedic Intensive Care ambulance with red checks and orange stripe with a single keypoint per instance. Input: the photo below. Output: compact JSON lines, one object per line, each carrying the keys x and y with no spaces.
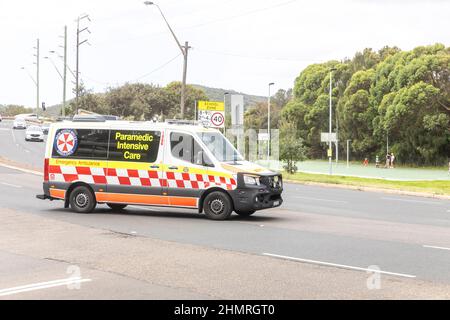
{"x":91,"y":160}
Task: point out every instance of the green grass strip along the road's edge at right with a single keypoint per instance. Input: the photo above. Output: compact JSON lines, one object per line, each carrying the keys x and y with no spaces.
{"x":433,"y":187}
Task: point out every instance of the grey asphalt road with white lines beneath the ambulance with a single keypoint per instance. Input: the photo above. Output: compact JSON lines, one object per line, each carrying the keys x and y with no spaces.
{"x":319,"y":244}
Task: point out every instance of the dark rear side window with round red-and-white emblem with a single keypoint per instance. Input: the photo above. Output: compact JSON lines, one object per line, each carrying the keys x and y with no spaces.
{"x":80,"y":144}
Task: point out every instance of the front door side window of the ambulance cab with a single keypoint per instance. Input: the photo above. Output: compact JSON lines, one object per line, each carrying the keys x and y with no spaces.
{"x":184,"y":147}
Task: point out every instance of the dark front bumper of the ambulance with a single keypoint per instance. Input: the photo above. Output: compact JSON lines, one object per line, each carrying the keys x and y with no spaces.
{"x":252,"y":198}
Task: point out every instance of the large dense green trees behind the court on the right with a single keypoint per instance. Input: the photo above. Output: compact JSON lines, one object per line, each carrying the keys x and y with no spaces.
{"x":405,"y":94}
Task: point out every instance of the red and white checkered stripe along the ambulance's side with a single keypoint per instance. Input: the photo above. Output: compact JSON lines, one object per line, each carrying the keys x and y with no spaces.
{"x":141,"y":178}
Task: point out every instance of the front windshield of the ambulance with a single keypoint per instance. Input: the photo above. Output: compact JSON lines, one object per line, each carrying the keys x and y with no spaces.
{"x":220,"y":147}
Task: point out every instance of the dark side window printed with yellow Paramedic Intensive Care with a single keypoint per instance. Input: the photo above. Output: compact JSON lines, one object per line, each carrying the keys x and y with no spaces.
{"x":133,"y":145}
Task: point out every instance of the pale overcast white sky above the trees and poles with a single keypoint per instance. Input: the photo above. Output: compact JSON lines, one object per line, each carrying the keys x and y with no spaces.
{"x":236,"y":44}
